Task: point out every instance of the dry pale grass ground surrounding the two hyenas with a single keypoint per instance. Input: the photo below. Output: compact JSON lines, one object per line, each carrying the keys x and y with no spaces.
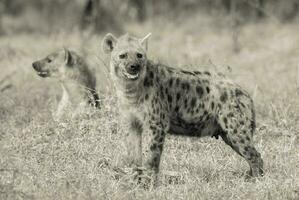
{"x":81,"y":158}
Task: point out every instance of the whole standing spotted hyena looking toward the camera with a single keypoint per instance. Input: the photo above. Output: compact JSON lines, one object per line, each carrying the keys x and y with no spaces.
{"x":164,"y":100}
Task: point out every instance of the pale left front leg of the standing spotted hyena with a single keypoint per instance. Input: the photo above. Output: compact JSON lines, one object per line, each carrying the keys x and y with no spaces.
{"x":134,"y":142}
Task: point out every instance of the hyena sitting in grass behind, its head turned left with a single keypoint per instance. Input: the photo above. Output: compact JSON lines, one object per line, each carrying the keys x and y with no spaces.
{"x":77,"y":80}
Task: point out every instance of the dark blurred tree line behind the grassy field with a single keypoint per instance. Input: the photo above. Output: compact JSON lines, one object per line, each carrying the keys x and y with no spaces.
{"x":48,"y":16}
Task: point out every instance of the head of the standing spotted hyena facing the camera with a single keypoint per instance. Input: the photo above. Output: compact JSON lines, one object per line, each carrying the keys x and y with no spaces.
{"x":128,"y":57}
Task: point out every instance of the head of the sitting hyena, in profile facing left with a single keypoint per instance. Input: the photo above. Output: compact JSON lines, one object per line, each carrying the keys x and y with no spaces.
{"x":55,"y":64}
